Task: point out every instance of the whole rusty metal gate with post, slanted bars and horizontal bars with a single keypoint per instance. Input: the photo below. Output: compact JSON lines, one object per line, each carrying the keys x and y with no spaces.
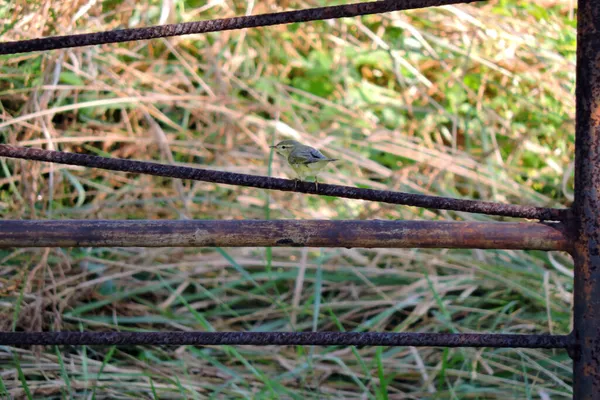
{"x":575,"y":230}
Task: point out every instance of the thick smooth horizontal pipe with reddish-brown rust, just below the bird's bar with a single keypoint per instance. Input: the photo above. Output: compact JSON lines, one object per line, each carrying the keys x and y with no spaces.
{"x":283,"y":233}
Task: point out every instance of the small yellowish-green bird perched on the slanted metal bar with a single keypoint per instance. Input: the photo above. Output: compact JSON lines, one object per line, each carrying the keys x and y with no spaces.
{"x":305,"y":160}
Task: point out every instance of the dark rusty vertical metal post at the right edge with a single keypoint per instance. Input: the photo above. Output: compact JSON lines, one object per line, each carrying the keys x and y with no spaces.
{"x":585,"y":218}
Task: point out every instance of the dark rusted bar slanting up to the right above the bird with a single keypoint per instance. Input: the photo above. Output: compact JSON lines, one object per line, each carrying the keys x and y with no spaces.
{"x":252,"y":21}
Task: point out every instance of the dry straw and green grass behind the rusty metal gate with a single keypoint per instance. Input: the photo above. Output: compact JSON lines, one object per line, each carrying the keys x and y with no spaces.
{"x":470,"y":101}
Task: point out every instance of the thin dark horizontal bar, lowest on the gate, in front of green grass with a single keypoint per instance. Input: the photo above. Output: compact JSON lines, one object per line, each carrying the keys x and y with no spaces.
{"x":285,"y":338}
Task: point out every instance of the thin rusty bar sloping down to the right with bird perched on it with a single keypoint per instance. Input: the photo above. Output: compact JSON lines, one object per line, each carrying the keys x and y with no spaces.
{"x":263,"y":182}
